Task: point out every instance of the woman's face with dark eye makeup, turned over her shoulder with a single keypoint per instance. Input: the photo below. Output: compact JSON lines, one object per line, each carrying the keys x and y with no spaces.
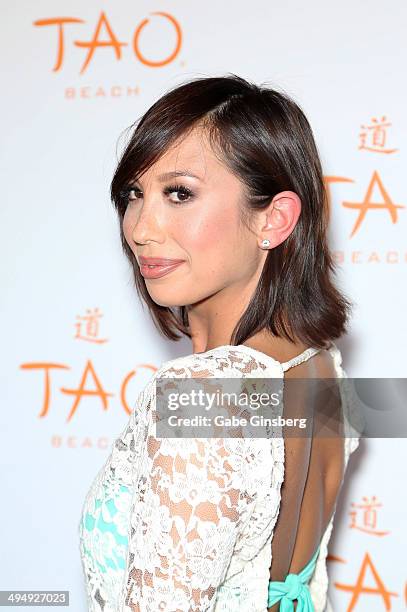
{"x":201,"y":226}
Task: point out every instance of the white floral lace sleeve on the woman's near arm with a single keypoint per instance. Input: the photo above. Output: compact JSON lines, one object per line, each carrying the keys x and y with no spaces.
{"x":189,"y":507}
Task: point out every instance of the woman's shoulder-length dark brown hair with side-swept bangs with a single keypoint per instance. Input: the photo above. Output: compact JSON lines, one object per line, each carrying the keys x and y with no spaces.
{"x":264,"y":138}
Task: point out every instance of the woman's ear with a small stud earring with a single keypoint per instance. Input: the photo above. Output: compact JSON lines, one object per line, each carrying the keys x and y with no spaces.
{"x":276,"y":222}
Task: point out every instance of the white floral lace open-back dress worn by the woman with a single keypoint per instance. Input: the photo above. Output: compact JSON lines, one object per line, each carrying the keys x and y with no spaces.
{"x":186,"y":525}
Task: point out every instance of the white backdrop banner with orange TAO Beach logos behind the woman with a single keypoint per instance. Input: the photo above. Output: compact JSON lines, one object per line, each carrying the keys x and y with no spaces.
{"x":77,"y":343}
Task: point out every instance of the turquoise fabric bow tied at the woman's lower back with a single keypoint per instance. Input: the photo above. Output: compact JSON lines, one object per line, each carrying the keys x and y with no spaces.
{"x":295,"y":586}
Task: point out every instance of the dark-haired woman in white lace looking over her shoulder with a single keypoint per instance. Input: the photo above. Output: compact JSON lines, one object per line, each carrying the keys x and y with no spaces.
{"x":223,"y":217}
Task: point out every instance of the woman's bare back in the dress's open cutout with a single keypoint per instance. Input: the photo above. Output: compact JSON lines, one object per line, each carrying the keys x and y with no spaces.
{"x":313,"y":475}
